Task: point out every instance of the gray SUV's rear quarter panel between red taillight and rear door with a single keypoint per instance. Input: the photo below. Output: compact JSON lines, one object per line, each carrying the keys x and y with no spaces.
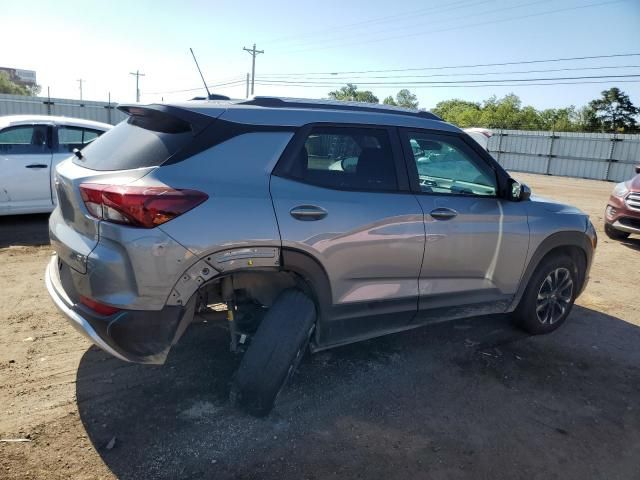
{"x":235,"y":174}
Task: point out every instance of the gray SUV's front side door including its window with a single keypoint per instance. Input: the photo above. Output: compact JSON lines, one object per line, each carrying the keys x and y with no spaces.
{"x":476,"y":242}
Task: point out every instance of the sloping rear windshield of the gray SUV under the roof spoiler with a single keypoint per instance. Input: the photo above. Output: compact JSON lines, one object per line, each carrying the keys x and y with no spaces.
{"x":132,"y":144}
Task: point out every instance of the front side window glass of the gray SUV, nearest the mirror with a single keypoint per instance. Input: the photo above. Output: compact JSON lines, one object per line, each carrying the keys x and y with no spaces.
{"x":445,"y":165}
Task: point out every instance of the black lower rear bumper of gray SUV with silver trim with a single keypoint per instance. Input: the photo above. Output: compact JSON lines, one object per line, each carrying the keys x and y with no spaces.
{"x":130,"y":335}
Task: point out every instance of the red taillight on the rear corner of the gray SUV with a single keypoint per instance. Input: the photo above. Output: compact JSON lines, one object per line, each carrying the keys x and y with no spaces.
{"x":144,"y":207}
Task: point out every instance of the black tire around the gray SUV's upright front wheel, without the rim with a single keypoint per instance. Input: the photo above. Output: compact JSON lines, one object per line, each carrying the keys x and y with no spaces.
{"x":525,"y":315}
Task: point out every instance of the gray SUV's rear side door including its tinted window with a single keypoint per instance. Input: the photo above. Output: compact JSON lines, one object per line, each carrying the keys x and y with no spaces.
{"x":341,"y":196}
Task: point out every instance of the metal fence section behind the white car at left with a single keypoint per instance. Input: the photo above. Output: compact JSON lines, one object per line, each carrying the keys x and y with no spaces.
{"x":99,"y":111}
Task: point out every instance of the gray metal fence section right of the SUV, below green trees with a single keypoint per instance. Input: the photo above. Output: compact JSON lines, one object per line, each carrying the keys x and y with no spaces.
{"x":599,"y":156}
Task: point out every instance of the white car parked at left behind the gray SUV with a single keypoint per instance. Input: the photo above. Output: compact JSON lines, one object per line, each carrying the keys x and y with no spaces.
{"x":30,"y":148}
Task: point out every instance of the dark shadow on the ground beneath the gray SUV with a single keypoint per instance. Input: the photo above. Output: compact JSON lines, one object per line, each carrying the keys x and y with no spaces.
{"x":469,"y":399}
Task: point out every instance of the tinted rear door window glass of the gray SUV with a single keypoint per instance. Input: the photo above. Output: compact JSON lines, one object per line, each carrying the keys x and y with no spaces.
{"x":346,"y":158}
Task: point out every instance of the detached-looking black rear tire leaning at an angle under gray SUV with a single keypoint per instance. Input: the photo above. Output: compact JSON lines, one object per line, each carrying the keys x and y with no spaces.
{"x":274,"y":352}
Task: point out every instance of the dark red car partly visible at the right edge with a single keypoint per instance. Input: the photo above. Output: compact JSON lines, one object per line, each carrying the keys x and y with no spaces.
{"x":622,"y":215}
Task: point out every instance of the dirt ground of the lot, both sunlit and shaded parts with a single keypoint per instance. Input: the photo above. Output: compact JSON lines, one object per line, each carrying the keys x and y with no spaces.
{"x":469,"y":399}
